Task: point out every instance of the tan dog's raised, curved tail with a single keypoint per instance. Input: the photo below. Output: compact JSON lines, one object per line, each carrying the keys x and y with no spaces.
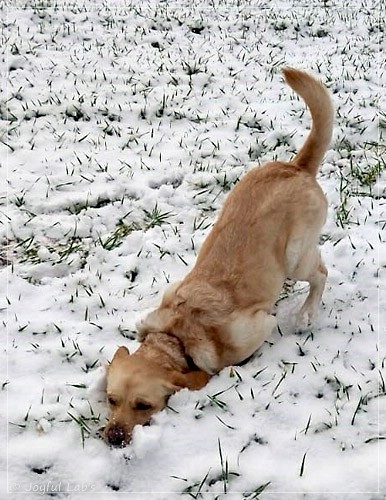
{"x":317,"y":98}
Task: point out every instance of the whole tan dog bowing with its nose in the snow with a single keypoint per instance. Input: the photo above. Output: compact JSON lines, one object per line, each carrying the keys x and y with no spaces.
{"x":221,"y":312}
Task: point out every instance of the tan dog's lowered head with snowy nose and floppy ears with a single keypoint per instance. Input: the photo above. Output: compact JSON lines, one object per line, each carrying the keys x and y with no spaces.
{"x":138,"y":387}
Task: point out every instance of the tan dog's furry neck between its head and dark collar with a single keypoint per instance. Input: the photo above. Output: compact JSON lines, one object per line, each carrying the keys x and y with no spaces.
{"x":168,"y":349}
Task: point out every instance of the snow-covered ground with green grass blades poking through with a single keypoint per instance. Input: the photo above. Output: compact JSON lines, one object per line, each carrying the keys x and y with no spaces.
{"x":123,"y":125}
